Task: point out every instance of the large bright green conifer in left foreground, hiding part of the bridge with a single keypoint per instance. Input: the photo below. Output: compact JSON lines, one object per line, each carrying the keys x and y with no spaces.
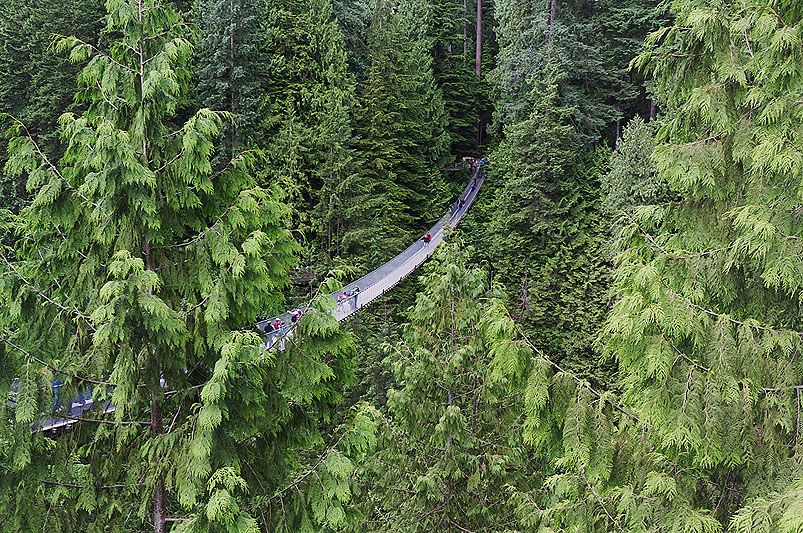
{"x":137,"y":275}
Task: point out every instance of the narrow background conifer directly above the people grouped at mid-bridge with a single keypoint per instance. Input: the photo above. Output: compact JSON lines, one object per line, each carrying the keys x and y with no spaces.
{"x":307,"y":117}
